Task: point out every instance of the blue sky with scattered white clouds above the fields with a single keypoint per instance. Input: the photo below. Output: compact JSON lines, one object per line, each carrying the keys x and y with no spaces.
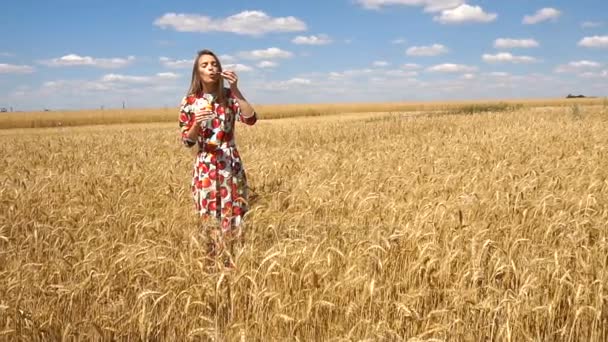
{"x":67,"y":54}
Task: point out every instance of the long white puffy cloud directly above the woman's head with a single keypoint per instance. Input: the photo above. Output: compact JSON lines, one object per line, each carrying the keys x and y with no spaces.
{"x":252,"y":23}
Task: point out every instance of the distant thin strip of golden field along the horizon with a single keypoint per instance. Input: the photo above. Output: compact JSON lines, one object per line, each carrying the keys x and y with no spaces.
{"x":120,"y":116}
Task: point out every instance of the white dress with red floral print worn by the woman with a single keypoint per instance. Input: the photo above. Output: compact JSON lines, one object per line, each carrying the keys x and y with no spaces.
{"x":219,"y":184}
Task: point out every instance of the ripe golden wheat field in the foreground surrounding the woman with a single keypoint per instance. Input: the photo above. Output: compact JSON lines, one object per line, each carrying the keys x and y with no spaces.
{"x":368,"y":227}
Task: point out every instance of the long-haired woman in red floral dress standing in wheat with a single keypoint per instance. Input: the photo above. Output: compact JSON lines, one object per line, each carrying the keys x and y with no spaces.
{"x":208,"y":114}
